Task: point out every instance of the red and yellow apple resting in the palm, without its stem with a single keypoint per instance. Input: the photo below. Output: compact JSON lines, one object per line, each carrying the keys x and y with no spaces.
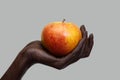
{"x":60,"y":38}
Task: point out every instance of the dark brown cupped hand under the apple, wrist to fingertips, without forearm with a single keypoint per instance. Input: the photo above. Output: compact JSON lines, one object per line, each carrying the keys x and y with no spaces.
{"x":38,"y":54}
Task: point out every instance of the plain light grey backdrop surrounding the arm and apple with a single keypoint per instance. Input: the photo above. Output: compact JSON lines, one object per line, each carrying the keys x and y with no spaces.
{"x":21,"y":21}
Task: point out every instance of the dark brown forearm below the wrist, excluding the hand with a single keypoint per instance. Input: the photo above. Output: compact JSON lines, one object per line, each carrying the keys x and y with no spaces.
{"x":17,"y":68}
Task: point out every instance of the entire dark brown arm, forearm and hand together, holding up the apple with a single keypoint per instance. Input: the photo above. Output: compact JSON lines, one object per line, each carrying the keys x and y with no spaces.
{"x":34,"y":52}
